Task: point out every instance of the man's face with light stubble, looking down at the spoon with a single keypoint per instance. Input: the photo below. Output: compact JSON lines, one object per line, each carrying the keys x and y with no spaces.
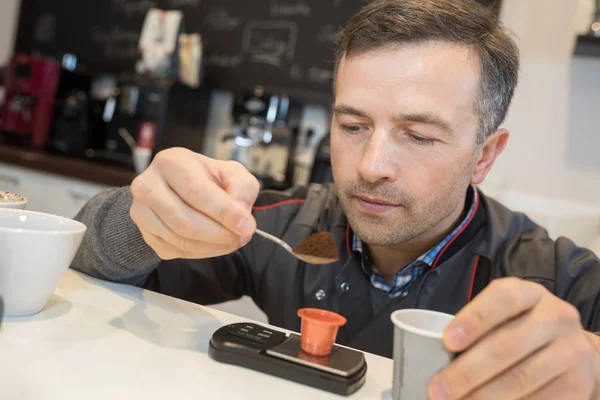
{"x":403,"y":139}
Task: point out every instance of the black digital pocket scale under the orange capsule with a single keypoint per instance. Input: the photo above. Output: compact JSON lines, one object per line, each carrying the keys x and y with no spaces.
{"x":277,"y":353}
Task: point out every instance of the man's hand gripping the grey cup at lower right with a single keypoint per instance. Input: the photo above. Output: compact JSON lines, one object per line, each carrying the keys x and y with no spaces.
{"x":519,"y":341}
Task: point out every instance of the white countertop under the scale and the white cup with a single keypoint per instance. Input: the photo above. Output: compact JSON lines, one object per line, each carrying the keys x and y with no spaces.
{"x":99,"y":340}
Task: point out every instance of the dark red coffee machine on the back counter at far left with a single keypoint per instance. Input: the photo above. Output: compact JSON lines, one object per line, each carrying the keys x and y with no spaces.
{"x":30,"y":92}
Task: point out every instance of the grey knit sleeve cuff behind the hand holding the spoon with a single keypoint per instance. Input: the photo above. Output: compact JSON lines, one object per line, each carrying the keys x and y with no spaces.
{"x":113,"y":248}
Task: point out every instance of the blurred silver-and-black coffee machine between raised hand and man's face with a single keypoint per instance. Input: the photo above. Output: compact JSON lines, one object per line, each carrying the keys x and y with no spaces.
{"x":263,"y":136}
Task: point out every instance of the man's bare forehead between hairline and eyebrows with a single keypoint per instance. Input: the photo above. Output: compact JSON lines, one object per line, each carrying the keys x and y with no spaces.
{"x":441,"y":72}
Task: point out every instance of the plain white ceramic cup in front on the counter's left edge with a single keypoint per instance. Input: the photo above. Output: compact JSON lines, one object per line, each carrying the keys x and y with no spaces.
{"x":35,"y":251}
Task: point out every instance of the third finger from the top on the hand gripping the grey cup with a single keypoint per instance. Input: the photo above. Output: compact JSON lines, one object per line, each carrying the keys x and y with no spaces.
{"x":532,"y":374}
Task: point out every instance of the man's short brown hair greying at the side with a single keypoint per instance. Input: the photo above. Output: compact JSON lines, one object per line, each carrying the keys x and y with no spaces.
{"x":391,"y":23}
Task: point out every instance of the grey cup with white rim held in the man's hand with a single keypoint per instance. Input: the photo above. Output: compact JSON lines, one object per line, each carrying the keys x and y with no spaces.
{"x":418,"y":351}
